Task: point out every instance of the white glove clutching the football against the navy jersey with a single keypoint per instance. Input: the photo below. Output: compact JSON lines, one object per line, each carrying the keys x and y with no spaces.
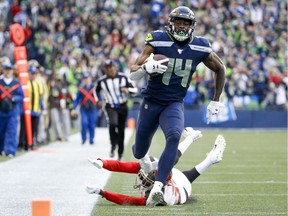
{"x":152,"y":66}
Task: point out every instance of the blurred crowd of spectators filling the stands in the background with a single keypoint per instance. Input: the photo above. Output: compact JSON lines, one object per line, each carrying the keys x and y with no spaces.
{"x":65,"y":39}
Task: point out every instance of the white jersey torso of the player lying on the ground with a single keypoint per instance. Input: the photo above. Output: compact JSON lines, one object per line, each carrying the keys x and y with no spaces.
{"x":178,"y":188}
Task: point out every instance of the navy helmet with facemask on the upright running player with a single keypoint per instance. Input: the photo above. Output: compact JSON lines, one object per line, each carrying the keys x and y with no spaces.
{"x":181,"y":12}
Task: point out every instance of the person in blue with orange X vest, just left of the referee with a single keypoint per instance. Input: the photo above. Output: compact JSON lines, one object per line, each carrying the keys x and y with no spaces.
{"x":87,"y":99}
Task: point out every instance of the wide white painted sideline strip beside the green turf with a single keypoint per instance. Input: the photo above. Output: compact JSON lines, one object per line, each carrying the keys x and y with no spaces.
{"x":58,"y":172}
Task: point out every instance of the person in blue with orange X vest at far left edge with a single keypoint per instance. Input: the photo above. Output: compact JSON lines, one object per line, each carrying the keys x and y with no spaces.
{"x":11,"y":95}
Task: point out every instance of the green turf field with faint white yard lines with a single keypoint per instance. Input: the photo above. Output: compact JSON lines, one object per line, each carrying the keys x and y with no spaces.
{"x":251,"y":179}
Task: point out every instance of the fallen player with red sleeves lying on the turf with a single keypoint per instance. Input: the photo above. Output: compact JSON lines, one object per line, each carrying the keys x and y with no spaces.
{"x":178,"y":184}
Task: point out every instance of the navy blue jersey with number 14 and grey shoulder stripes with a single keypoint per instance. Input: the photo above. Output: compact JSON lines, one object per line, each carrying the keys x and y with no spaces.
{"x":184,"y":57}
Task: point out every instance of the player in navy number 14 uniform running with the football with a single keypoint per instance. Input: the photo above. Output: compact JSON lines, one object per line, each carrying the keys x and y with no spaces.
{"x":167,"y":86}
